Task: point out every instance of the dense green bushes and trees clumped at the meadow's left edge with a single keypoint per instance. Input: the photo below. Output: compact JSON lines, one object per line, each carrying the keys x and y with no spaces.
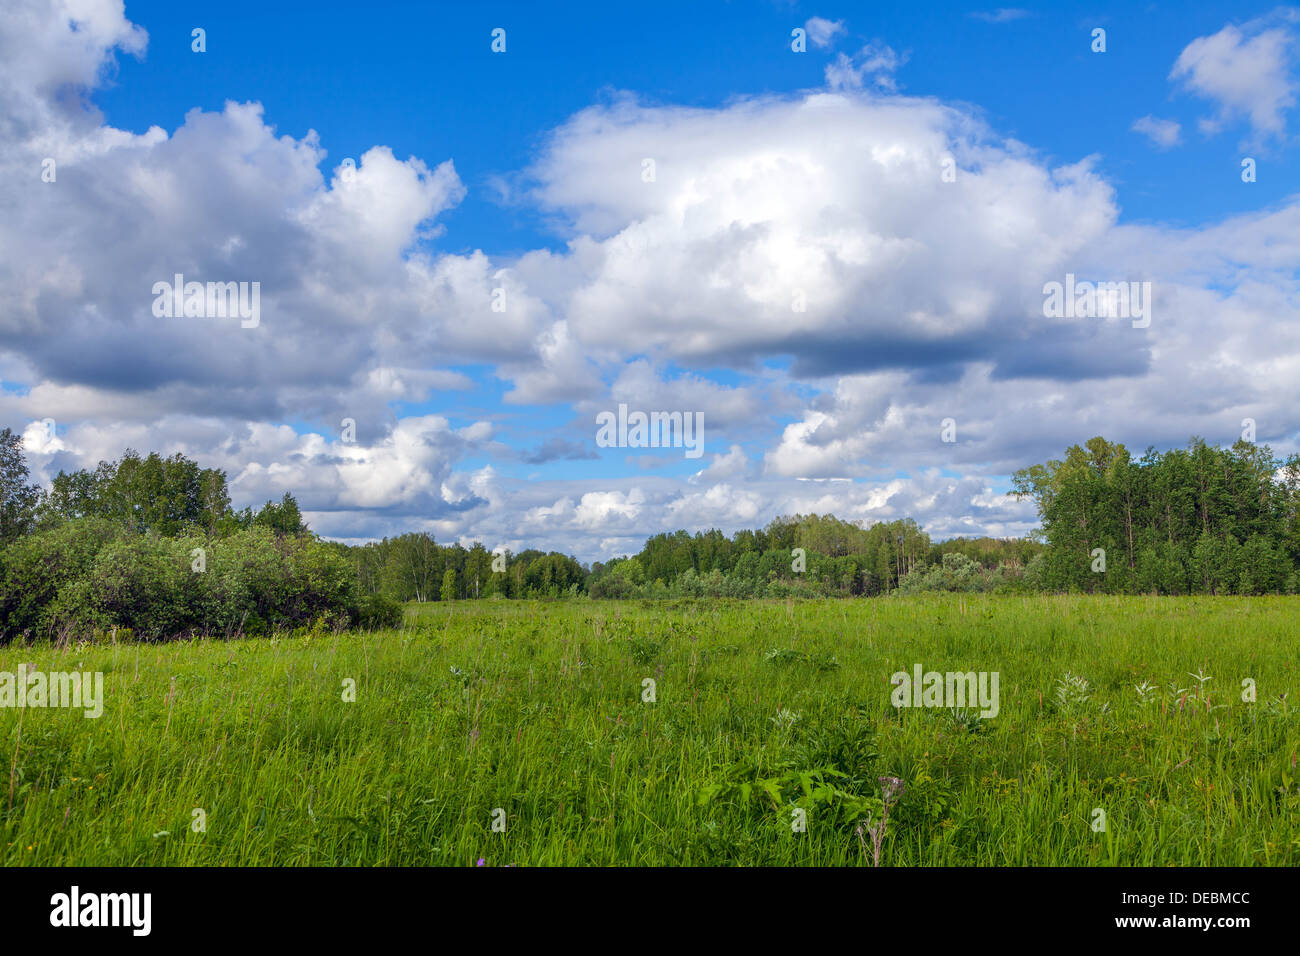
{"x":150,"y":547}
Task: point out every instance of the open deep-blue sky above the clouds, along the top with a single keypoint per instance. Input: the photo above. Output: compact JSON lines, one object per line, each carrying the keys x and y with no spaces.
{"x":421,"y":77}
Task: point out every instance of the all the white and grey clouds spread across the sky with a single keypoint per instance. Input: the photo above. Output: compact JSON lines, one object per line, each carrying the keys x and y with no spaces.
{"x":800,"y":270}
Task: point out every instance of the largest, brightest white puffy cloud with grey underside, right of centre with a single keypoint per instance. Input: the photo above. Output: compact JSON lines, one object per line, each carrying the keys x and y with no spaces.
{"x":818,"y":228}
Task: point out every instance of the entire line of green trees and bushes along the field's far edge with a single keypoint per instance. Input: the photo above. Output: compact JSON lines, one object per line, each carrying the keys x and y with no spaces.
{"x":151,"y":546}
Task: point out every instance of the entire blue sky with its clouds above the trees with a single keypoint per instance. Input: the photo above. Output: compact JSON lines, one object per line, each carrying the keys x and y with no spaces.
{"x":825,"y":232}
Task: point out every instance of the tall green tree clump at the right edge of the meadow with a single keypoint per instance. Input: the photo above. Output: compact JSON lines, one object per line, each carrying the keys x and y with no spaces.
{"x":1197,"y":521}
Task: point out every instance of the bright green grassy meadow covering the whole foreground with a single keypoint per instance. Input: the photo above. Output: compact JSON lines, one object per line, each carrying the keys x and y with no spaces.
{"x":761,"y":710}
